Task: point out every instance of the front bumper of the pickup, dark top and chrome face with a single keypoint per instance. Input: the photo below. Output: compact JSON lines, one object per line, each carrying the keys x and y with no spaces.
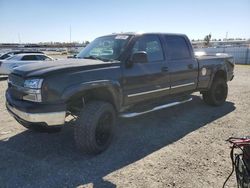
{"x":36,"y":113}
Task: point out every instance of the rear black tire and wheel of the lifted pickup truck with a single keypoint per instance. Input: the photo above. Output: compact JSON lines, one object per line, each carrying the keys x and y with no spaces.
{"x":217,"y":94}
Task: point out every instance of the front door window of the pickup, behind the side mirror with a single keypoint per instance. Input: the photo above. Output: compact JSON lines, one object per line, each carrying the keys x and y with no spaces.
{"x":151,"y":45}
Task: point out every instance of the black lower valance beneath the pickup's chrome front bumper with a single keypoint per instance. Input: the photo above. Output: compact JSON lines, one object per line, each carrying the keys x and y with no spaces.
{"x":36,"y":127}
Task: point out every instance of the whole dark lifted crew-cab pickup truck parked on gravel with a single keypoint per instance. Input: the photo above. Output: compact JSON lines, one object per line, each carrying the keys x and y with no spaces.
{"x":124,"y":75}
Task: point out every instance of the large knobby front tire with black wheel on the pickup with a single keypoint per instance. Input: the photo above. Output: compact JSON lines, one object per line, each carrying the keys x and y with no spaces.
{"x":94,"y":127}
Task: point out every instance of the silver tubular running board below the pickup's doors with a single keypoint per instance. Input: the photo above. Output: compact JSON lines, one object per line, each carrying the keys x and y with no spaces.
{"x":134,"y":114}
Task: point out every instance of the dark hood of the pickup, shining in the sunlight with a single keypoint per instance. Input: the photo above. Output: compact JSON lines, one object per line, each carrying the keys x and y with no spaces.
{"x":50,"y":67}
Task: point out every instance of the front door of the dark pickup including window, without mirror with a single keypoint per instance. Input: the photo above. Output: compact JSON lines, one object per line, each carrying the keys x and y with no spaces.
{"x":143,"y":81}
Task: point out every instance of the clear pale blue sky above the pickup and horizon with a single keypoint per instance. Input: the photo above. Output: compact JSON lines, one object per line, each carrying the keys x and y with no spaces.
{"x":31,"y":21}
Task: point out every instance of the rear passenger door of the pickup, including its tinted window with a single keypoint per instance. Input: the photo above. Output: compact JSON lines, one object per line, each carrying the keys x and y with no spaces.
{"x":183,"y":67}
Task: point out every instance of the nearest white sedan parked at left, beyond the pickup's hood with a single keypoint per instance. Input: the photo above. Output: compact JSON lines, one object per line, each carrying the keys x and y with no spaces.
{"x":7,"y":65}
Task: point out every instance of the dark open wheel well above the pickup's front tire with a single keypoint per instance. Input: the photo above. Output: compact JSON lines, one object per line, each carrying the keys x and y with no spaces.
{"x":77,"y":101}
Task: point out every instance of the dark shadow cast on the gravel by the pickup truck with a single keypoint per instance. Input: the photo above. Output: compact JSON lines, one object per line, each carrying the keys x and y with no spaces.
{"x":50,"y":160}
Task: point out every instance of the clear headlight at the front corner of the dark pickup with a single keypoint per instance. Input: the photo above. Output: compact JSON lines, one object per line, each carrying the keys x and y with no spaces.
{"x":32,"y":88}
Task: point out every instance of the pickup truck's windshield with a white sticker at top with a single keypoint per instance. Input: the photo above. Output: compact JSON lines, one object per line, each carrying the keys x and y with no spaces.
{"x":106,"y":48}
